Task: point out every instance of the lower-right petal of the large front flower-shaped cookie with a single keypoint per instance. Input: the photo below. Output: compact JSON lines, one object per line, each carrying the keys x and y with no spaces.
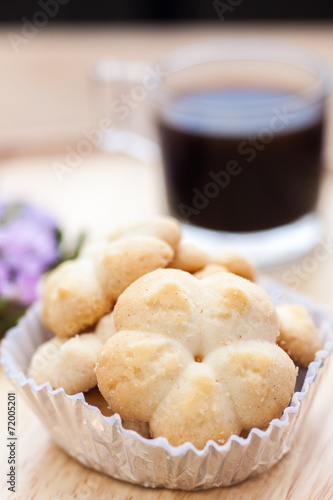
{"x":260,"y":378}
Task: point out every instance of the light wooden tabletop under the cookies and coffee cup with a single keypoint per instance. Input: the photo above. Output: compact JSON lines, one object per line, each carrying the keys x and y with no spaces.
{"x":43,"y":104}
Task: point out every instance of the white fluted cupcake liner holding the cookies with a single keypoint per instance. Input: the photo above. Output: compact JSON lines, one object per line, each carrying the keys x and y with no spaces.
{"x":102,"y":443}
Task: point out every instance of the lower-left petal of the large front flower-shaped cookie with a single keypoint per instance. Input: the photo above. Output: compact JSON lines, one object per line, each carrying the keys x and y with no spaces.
{"x":135,"y":371}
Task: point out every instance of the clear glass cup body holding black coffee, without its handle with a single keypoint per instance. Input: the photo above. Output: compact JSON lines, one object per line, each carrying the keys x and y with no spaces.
{"x":241,"y":126}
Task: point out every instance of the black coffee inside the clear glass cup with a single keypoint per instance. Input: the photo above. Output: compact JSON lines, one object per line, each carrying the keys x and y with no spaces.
{"x":242,"y":174}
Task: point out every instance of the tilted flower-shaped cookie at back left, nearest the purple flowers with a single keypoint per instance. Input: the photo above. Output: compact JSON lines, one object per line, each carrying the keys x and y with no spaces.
{"x":79,"y":292}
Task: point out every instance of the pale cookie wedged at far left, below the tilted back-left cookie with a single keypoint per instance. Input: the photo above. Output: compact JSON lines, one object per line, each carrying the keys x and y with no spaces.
{"x":67,"y":363}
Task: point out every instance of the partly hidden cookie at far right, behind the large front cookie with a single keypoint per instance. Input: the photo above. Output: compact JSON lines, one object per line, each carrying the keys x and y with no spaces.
{"x":298,"y":334}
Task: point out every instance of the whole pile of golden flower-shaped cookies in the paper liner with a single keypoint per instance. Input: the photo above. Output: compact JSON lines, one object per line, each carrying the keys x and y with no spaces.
{"x":178,"y":343}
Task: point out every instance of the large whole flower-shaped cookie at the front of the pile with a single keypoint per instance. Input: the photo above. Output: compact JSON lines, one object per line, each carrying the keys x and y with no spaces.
{"x":197,"y":359}
